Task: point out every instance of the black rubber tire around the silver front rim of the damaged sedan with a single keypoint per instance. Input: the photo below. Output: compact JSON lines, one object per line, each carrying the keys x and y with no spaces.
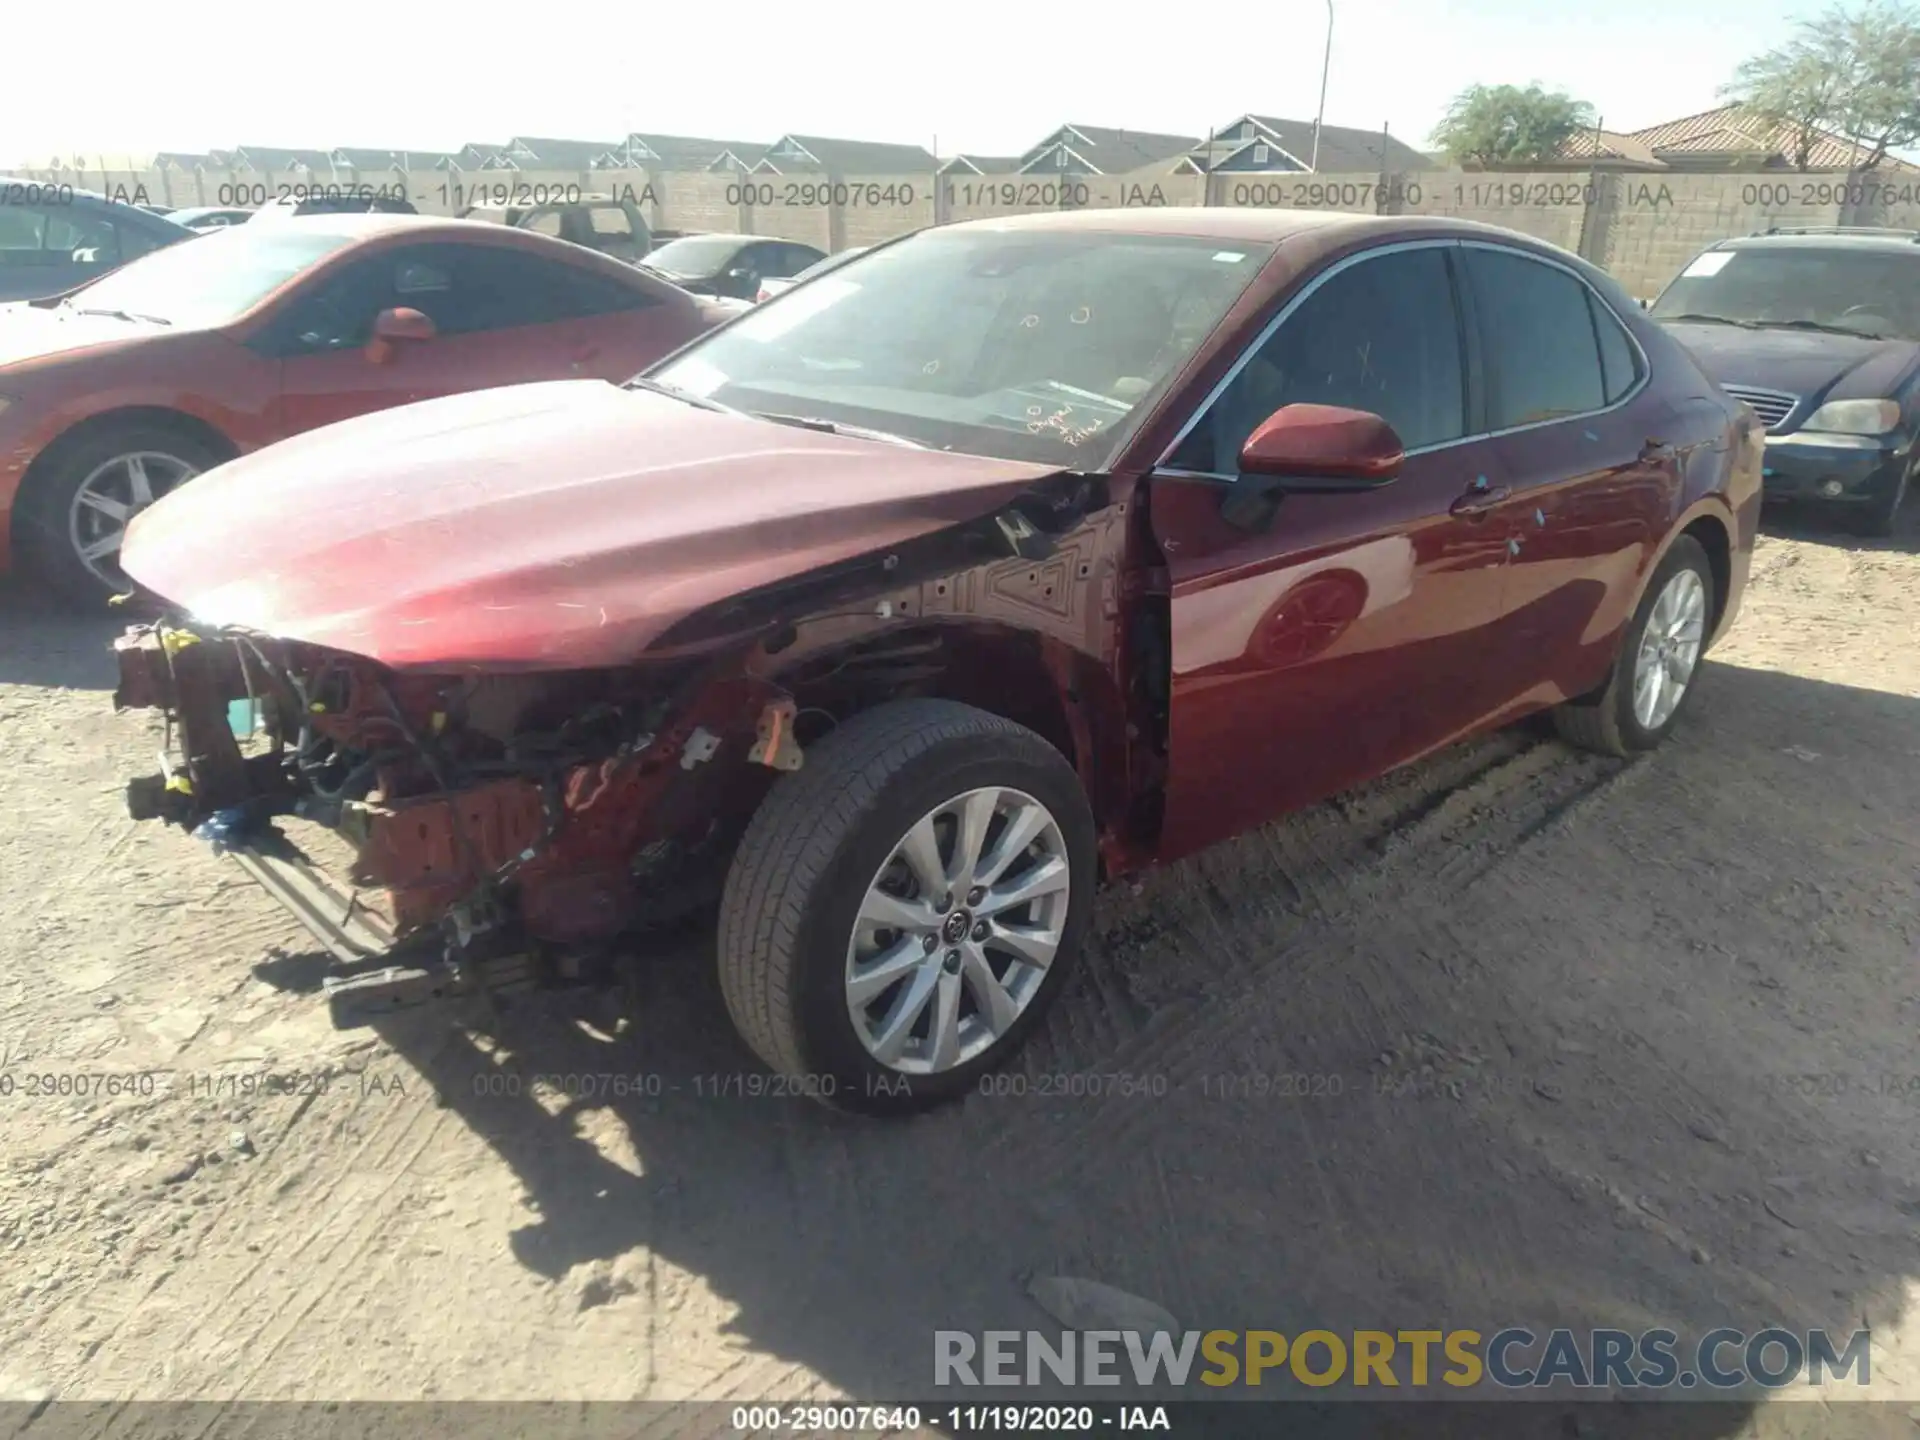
{"x":809,"y":855}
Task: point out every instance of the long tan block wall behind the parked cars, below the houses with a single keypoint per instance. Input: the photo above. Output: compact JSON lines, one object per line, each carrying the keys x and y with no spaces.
{"x":1641,"y":228}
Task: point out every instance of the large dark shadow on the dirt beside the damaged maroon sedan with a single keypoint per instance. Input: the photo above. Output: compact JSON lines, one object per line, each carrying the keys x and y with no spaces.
{"x":1516,"y":1038}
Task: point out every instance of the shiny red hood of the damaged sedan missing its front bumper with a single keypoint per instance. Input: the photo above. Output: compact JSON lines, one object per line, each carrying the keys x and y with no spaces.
{"x":560,"y":525}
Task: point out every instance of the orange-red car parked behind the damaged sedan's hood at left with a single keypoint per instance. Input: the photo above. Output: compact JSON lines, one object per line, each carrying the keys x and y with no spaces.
{"x":122,"y":391}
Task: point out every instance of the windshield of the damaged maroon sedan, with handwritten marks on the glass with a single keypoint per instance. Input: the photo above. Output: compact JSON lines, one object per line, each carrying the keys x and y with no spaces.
{"x":1020,"y":345}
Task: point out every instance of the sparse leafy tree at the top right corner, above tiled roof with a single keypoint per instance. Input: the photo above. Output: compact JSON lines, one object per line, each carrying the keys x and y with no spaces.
{"x":1850,"y":72}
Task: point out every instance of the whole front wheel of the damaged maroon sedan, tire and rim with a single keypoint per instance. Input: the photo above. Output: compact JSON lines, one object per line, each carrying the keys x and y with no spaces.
{"x":901,"y":911}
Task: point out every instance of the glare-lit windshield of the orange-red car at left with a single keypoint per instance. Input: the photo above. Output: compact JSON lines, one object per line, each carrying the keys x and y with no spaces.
{"x":214,"y":279}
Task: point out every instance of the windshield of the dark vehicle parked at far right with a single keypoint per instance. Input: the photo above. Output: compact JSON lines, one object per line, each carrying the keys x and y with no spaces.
{"x":1792,"y":287}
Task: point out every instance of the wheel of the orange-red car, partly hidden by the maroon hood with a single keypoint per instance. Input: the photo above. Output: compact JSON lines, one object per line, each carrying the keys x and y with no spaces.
{"x":78,"y":512}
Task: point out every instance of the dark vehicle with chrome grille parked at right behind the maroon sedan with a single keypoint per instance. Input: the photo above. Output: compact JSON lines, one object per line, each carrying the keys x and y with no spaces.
{"x":1819,"y":333}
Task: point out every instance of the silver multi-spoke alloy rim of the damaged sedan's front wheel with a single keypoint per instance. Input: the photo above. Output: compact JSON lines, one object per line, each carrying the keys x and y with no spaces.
{"x":957,"y":930}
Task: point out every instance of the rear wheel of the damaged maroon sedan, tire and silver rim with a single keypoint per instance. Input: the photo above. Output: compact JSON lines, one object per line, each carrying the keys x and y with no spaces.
{"x":1660,"y":656}
